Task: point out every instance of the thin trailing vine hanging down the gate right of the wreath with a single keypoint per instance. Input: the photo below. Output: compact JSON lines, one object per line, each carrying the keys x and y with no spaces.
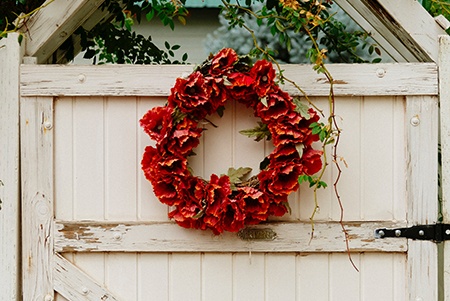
{"x":308,"y":17}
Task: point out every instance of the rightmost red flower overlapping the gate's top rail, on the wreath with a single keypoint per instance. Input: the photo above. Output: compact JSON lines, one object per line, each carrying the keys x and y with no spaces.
{"x":263,"y":75}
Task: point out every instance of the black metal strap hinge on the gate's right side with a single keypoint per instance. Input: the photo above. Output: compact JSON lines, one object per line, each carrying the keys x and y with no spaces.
{"x":434,"y":232}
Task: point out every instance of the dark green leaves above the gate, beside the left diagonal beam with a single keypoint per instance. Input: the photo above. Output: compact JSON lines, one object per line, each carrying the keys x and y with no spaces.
{"x":114,"y":41}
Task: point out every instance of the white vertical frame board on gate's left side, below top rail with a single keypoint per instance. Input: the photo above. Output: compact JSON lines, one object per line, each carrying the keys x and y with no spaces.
{"x":37,"y":198}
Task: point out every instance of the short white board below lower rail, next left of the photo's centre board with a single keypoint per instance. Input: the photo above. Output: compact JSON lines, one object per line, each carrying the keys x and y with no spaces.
{"x":185,"y":276}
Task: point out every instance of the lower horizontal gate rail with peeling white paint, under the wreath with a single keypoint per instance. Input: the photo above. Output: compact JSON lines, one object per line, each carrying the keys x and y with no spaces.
{"x":95,"y":236}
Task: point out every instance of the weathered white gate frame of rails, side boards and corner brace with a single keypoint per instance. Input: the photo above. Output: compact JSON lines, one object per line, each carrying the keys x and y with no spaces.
{"x":44,"y":238}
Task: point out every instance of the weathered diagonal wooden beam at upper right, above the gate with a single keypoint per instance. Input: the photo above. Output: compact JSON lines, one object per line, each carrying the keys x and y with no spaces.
{"x":402,"y":27}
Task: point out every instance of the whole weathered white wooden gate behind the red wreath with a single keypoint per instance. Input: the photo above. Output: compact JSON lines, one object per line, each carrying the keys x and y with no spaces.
{"x":93,"y":230}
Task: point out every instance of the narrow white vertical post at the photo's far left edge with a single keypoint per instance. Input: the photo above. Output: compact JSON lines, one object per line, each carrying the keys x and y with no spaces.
{"x":10,"y":59}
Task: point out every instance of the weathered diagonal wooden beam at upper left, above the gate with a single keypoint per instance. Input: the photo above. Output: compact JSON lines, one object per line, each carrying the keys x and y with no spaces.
{"x":52,"y":25}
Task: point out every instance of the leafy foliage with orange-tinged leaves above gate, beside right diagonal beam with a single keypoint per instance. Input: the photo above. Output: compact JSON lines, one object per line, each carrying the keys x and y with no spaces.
{"x":292,"y":22}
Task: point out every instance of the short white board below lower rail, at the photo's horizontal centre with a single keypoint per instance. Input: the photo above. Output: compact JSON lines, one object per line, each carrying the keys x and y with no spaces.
{"x":217,"y":276}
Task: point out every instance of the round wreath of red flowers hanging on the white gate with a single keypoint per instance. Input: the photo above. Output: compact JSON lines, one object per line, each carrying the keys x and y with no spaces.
{"x":219,"y":204}
